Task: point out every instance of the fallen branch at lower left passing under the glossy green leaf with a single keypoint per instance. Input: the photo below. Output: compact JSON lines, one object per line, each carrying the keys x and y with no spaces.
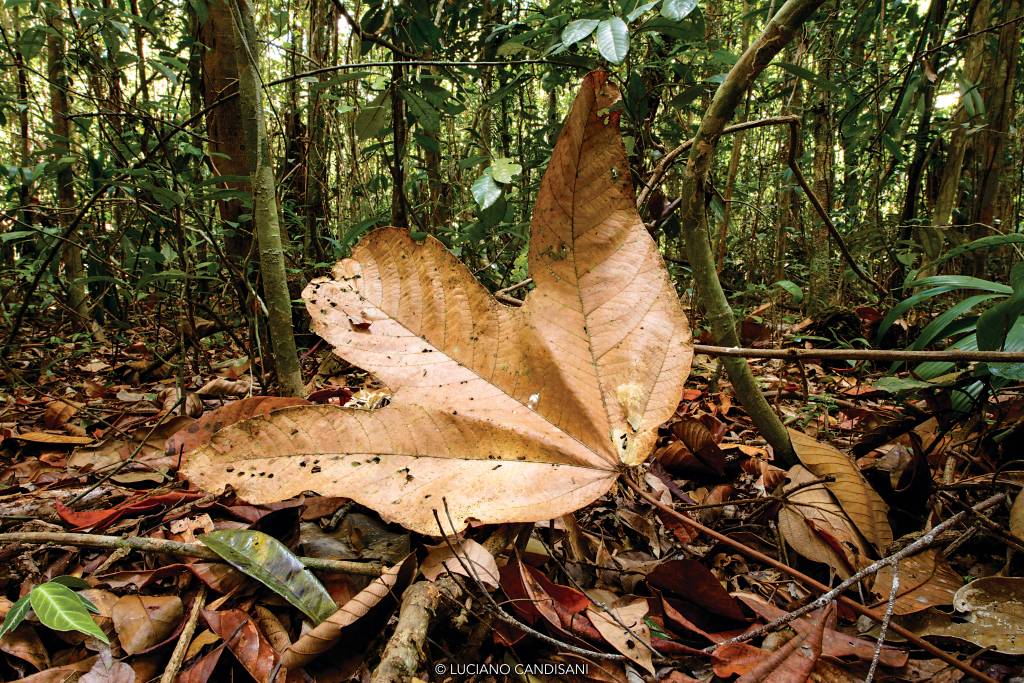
{"x":174,"y":548}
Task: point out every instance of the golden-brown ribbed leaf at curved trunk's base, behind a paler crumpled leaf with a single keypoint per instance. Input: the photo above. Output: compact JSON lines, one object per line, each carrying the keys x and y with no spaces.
{"x":862,"y":503}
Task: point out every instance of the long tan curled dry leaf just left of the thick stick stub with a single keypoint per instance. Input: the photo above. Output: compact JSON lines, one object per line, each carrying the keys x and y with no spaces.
{"x":320,"y":639}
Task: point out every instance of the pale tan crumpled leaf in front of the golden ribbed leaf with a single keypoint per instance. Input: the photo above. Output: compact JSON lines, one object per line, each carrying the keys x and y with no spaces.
{"x":817,"y":527}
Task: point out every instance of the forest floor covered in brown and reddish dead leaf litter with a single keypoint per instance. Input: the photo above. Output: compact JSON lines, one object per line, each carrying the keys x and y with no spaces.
{"x":625,"y":590}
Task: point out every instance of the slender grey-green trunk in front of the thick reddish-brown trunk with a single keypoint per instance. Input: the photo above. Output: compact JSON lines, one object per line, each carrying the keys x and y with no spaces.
{"x":272,"y":253}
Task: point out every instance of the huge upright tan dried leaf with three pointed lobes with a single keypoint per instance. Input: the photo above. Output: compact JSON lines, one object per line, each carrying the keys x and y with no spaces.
{"x":504,"y":414}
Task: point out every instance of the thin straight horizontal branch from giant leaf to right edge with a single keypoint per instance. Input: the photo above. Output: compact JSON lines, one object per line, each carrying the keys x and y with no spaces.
{"x":952,"y":356}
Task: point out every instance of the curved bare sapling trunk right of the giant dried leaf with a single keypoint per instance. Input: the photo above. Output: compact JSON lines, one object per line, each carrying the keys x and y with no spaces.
{"x":780,"y":31}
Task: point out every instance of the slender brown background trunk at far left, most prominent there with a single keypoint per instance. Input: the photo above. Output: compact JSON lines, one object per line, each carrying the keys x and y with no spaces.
{"x":58,"y":76}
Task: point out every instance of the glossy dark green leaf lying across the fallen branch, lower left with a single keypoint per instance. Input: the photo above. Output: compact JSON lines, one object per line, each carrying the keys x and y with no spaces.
{"x":269,"y":562}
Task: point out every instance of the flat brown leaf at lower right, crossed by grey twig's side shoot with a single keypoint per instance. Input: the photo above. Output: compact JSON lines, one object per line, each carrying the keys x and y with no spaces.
{"x":926,"y":580}
